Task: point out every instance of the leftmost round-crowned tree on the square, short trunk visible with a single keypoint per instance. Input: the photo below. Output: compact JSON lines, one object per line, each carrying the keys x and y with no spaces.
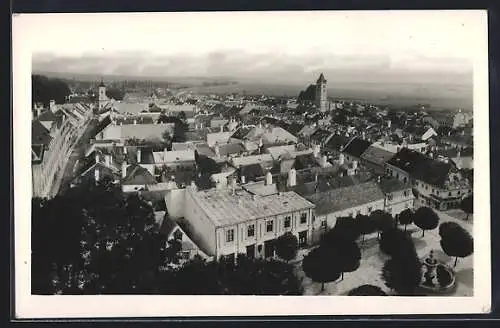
{"x":316,"y":265}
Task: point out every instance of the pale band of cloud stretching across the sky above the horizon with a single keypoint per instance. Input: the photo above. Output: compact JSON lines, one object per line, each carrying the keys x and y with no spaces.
{"x":238,"y":64}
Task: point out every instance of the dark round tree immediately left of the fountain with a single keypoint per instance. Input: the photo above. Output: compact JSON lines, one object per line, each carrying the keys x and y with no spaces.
{"x":402,"y":274}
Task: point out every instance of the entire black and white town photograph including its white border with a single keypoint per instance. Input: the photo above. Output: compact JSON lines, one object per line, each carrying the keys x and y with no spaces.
{"x":307,"y":155}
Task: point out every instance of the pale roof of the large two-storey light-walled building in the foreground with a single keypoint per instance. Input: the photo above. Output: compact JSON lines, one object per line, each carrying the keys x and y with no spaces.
{"x":223,"y":208}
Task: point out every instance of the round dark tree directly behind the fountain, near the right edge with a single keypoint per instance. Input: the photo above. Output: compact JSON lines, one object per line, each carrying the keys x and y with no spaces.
{"x":455,"y":240}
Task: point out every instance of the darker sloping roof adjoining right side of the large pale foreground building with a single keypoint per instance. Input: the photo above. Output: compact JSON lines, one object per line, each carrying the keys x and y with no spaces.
{"x":345,"y":197}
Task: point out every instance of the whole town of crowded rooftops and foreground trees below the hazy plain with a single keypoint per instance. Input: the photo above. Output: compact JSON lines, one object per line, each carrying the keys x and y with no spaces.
{"x":144,"y":187}
